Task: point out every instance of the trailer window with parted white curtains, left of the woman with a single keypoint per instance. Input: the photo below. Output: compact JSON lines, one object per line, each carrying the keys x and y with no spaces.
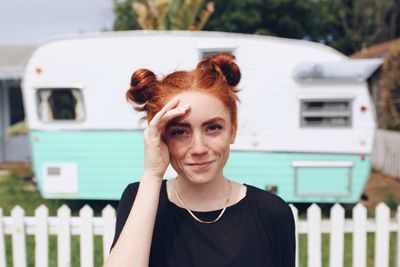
{"x":61,"y":104}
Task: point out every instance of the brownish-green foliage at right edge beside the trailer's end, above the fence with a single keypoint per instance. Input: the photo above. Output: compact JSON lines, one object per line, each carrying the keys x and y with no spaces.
{"x":390,"y":101}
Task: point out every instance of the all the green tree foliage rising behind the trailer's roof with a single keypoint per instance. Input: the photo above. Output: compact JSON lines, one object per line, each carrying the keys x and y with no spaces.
{"x":347,"y":25}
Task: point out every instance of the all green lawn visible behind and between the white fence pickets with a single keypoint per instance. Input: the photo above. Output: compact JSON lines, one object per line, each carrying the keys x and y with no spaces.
{"x":16,"y":190}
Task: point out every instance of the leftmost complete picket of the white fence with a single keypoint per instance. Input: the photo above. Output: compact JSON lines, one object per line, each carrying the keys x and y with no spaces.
{"x":18,"y":237}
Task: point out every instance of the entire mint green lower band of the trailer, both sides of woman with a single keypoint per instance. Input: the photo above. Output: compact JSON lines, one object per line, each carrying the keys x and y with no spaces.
{"x":108,"y":160}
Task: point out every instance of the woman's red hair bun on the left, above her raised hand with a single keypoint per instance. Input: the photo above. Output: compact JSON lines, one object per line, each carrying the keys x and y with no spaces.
{"x":143,"y":82}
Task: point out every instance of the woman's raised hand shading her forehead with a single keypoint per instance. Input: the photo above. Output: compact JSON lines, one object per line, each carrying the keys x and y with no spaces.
{"x":156,"y":154}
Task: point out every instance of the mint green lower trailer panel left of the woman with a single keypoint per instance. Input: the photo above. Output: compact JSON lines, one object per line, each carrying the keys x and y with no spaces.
{"x":107,"y":160}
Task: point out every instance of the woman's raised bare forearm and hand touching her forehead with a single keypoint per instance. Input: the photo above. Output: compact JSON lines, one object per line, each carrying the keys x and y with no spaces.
{"x":134,"y":243}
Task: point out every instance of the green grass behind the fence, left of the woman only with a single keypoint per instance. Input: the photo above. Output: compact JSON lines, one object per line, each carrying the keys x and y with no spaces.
{"x":14,"y":190}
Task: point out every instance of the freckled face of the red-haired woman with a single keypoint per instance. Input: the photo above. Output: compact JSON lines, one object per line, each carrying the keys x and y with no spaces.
{"x":199,"y":141}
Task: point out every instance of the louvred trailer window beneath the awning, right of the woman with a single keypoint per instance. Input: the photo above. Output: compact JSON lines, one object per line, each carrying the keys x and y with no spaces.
{"x":325,"y":113}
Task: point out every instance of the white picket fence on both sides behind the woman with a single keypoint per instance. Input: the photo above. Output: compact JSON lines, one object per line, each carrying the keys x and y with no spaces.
{"x":86,"y":226}
